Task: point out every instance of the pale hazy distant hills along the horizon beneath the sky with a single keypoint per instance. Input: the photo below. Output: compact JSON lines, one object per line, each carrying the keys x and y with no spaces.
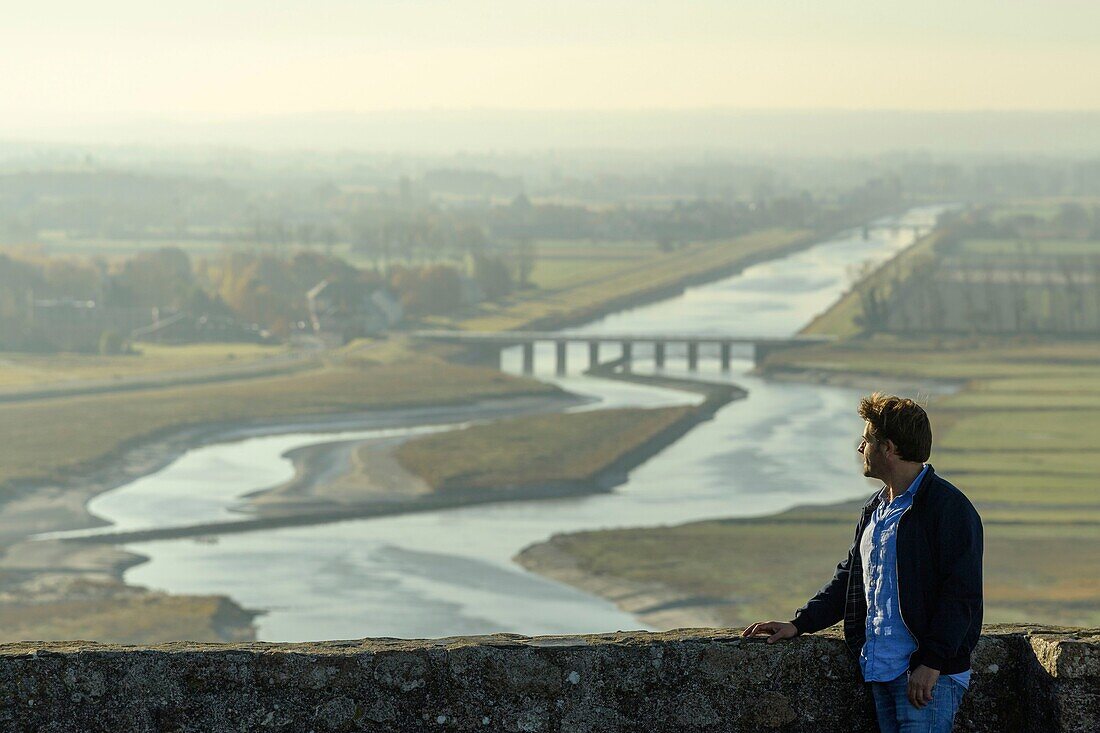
{"x":802,"y":133}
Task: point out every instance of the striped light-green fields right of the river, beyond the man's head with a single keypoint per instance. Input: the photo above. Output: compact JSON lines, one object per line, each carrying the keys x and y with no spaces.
{"x":1022,"y":437}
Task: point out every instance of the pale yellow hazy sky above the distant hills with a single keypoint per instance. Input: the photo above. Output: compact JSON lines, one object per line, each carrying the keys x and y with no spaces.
{"x":75,"y":62}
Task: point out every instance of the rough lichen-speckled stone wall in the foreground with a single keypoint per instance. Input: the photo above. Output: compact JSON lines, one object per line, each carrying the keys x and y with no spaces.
{"x":1027,"y":679}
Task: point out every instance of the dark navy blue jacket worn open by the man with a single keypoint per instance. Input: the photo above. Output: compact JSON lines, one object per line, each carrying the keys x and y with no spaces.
{"x":940,"y":546}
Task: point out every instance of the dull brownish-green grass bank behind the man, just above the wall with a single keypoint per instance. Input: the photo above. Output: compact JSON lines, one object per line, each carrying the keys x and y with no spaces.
{"x":767,"y":568}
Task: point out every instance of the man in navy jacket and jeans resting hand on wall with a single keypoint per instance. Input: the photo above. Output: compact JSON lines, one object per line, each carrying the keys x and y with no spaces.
{"x":910,"y":590}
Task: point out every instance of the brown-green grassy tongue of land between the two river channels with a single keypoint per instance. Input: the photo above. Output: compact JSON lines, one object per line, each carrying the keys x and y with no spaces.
{"x":510,"y":460}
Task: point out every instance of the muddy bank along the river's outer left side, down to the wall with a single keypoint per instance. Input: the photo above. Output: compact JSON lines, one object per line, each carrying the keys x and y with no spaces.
{"x":46,"y":583}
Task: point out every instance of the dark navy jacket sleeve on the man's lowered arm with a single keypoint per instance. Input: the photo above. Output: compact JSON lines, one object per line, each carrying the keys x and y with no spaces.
{"x":961,"y":543}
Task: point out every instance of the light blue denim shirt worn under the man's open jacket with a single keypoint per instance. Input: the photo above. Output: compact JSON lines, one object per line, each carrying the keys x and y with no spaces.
{"x":889,"y":643}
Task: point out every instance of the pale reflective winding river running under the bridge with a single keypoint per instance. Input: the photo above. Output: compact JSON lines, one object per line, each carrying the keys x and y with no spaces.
{"x":450,"y":573}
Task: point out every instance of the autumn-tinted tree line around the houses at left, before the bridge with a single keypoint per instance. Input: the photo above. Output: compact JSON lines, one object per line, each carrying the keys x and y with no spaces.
{"x":249,"y":286}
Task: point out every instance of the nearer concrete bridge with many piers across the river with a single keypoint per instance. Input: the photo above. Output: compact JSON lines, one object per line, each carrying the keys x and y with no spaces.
{"x":489,"y":345}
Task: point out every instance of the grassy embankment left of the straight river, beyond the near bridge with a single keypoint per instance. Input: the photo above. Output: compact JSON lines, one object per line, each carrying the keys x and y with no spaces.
{"x":626,"y":279}
